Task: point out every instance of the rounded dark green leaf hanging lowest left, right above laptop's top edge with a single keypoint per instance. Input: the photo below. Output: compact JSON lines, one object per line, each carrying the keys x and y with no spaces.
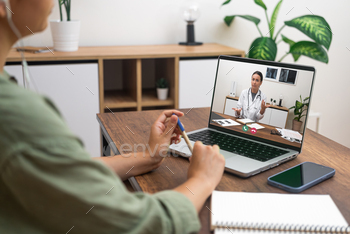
{"x":263,"y":48}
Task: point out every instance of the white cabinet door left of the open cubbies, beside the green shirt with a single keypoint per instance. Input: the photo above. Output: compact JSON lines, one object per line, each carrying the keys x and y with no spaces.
{"x":74,"y":90}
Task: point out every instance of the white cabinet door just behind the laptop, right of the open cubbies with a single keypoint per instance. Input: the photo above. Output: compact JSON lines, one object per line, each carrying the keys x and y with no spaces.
{"x":196,"y":82}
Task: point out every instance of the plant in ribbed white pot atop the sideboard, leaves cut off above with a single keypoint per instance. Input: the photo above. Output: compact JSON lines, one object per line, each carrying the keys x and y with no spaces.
{"x":65,"y":33}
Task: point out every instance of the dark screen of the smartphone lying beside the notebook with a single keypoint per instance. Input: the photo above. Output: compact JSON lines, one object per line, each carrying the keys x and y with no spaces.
{"x":301,"y":174}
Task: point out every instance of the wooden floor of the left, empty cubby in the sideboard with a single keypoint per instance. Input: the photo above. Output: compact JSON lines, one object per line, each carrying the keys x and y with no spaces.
{"x":118,"y":99}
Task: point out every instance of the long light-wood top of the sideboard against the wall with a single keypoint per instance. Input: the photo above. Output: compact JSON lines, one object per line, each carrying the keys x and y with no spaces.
{"x":129,"y":52}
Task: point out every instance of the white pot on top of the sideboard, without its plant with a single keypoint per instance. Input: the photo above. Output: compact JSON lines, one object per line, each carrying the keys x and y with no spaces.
{"x":65,"y":35}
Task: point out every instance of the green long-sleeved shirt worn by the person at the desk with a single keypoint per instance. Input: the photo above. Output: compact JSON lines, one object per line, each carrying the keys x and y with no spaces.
{"x":50,"y":184}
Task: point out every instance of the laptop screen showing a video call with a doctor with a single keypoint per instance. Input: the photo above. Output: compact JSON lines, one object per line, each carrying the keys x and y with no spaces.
{"x":262,"y":100}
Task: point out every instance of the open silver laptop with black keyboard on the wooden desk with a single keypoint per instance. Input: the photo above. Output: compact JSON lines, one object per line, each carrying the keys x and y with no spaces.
{"x":259,"y":144}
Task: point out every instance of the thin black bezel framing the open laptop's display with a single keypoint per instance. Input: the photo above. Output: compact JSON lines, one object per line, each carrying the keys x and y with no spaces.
{"x":267,"y":63}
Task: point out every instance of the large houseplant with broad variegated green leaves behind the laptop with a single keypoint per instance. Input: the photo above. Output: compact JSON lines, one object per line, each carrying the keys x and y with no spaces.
{"x":265,"y":47}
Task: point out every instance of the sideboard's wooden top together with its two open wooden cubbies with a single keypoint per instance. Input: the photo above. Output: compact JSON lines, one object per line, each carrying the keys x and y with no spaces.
{"x":135,"y":71}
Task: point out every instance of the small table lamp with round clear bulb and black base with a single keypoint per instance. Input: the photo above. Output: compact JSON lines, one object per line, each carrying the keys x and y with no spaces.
{"x":191,"y":14}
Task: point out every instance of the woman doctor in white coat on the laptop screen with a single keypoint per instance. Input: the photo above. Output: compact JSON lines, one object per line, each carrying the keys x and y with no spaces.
{"x":252,"y":102}
